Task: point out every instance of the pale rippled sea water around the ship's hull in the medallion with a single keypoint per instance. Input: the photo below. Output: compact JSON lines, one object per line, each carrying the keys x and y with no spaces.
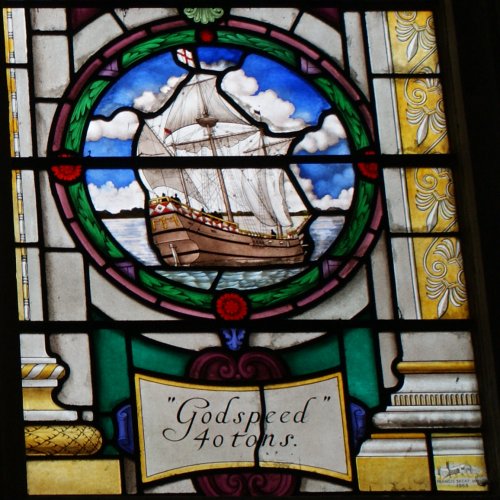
{"x":132,"y":235}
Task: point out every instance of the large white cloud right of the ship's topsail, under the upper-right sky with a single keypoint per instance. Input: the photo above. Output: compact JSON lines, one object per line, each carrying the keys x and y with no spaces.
{"x":273,"y":110}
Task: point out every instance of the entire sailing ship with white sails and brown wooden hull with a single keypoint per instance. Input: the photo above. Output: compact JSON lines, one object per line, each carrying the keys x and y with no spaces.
{"x":210,"y":216}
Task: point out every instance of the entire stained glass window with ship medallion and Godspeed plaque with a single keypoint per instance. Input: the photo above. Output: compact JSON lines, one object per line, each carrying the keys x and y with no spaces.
{"x":238,"y":256}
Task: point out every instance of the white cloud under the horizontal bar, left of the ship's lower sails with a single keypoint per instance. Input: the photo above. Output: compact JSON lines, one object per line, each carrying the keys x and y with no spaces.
{"x":109,"y":197}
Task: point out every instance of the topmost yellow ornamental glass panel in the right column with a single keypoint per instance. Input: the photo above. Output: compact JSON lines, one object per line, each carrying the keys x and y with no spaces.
{"x":413,"y":42}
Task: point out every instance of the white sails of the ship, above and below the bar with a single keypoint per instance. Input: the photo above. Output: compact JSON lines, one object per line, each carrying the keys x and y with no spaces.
{"x":199,"y":121}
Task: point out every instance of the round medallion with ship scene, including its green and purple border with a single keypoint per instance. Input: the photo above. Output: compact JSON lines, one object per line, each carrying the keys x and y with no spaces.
{"x":240,"y":182}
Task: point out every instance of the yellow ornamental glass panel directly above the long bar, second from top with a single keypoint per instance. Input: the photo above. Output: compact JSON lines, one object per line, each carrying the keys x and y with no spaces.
{"x":421,"y":115}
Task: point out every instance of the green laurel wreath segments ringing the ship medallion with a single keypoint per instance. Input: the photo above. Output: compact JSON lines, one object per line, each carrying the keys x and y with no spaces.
{"x":181,"y":294}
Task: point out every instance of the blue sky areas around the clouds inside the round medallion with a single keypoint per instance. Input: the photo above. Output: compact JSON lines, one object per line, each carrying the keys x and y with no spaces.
{"x":153,"y":74}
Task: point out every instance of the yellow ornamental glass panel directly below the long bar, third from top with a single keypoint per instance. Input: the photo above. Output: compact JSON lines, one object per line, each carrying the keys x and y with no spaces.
{"x":431,"y":199}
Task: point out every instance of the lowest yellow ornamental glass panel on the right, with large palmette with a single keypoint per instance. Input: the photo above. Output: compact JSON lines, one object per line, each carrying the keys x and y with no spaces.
{"x":440,"y":277}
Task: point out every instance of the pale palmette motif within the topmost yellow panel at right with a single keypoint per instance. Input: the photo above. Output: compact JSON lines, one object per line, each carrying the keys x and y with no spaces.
{"x":417,"y":35}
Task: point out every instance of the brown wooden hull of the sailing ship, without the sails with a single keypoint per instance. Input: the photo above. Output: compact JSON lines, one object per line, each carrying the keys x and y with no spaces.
{"x":193,"y":242}
